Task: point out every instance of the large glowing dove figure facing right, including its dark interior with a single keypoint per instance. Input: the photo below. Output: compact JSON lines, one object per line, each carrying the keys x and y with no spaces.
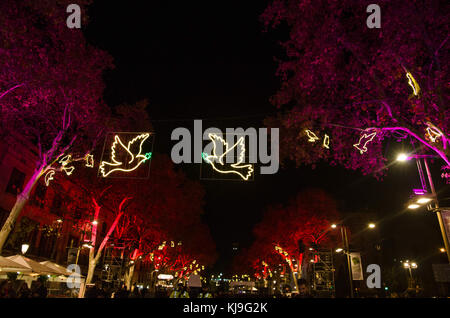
{"x":118,"y":149}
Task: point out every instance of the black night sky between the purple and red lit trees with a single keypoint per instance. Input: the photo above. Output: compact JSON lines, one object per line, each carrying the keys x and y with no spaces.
{"x":210,"y":60}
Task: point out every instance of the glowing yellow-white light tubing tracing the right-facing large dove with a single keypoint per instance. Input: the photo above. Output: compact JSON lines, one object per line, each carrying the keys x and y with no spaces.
{"x":117,"y":164}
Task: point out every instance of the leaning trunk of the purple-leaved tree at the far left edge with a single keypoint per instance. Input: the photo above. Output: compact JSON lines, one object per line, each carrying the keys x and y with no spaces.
{"x":21,"y":200}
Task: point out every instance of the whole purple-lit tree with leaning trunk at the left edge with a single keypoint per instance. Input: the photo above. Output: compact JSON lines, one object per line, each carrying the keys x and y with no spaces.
{"x":50,"y":87}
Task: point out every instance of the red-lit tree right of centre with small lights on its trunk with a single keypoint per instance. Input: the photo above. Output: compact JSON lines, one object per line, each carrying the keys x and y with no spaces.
{"x":286,"y":232}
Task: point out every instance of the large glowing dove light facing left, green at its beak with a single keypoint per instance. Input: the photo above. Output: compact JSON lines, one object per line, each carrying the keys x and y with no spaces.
{"x":217,"y":162}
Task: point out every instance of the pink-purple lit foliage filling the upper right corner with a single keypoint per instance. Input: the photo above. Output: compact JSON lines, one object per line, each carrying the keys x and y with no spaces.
{"x":343,"y":79}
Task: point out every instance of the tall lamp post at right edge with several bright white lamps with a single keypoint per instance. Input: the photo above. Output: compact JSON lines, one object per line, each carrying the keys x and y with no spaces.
{"x":424,"y":200}
